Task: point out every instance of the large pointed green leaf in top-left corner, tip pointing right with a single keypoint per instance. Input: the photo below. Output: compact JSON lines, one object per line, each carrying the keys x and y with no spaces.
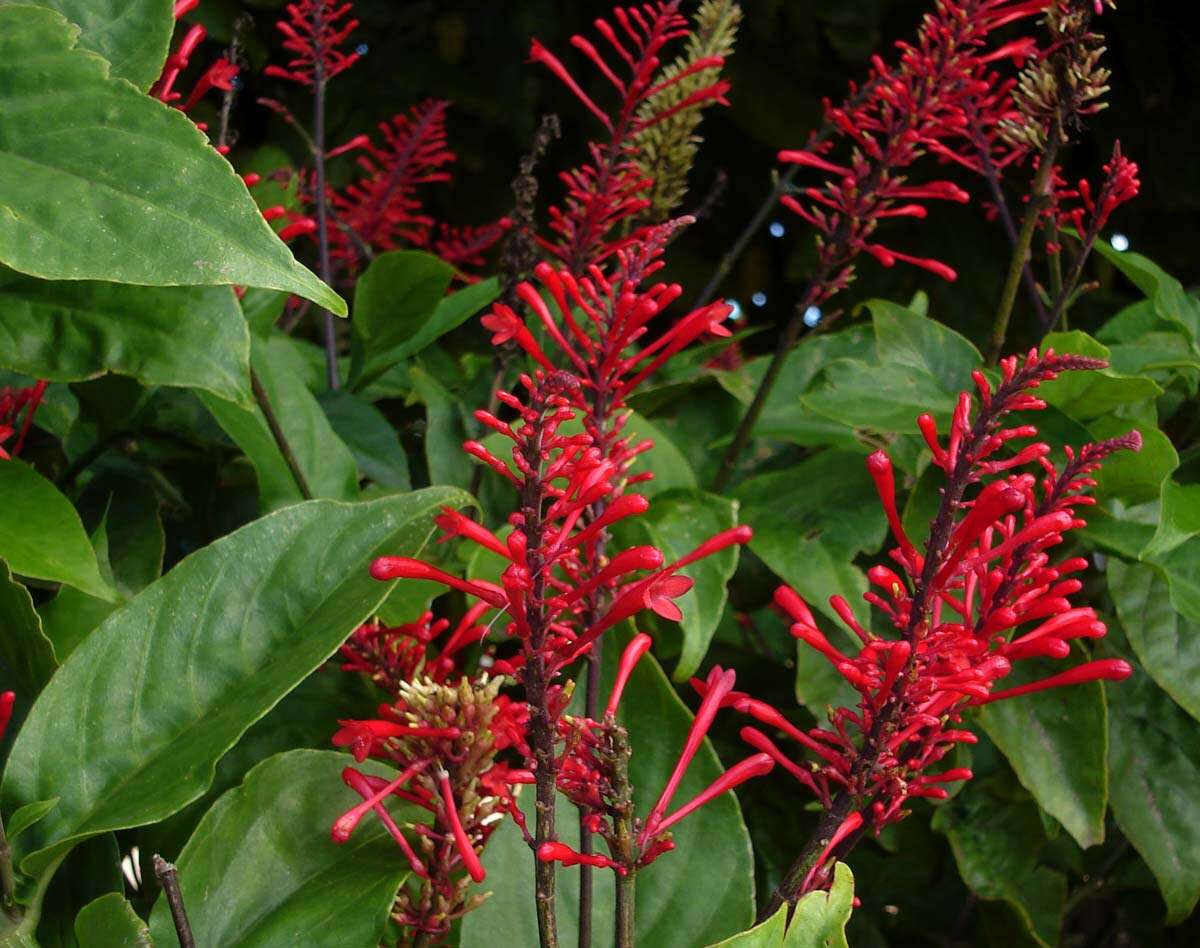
{"x":99,"y":182}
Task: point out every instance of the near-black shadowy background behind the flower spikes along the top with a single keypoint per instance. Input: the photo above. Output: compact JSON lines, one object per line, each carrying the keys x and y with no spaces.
{"x":789,"y":56}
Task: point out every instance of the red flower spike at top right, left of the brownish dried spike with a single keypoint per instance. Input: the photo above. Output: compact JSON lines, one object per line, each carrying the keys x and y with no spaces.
{"x":926,"y":104}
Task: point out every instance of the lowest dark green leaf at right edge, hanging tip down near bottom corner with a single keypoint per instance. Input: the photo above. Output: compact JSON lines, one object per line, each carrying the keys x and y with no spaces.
{"x":1156,"y":771}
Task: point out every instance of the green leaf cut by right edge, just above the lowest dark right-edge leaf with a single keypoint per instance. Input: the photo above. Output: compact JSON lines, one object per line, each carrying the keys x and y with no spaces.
{"x":1167,"y":644}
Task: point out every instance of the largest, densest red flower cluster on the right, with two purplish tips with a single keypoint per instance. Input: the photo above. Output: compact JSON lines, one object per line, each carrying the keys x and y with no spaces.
{"x":982,"y":596}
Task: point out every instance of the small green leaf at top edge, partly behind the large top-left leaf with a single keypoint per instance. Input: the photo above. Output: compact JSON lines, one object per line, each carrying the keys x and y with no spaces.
{"x":133,"y":35}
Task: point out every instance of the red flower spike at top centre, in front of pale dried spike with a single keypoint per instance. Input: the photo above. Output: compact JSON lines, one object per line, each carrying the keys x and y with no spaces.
{"x":613,"y":187}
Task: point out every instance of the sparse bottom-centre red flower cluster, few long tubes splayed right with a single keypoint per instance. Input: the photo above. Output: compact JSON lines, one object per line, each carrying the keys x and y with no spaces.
{"x":595,"y":776}
